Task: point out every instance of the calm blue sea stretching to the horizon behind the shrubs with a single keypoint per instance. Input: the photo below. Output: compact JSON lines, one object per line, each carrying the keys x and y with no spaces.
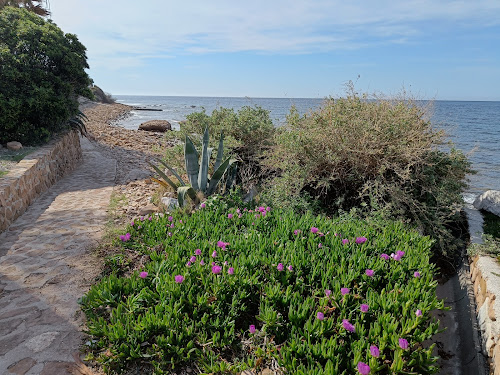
{"x":474,"y":127}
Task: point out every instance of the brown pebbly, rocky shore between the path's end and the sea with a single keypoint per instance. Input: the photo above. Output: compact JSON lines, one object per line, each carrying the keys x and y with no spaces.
{"x":131,"y":149}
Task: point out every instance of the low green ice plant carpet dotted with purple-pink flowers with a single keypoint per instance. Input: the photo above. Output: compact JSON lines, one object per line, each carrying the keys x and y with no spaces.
{"x":224,"y":293}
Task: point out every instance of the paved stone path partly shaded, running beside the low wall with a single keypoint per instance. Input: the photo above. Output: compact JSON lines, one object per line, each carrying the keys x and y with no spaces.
{"x":45,"y":266}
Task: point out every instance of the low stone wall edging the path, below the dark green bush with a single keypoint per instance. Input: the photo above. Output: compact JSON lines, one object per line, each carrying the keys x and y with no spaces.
{"x":35,"y":174}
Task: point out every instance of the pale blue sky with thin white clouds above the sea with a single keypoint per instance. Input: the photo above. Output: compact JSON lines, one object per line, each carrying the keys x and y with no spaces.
{"x":444,"y":50}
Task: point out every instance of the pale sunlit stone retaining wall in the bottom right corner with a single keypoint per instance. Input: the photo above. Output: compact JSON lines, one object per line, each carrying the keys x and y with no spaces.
{"x":485,"y":274}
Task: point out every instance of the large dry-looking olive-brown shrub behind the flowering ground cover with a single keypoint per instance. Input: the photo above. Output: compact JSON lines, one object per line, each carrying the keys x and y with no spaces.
{"x":382,"y":154}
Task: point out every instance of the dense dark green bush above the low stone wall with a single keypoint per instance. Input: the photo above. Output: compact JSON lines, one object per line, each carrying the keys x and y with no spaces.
{"x":42,"y":71}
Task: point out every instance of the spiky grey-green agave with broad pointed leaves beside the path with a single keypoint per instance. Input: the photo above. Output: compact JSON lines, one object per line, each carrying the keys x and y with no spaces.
{"x":197,"y":170}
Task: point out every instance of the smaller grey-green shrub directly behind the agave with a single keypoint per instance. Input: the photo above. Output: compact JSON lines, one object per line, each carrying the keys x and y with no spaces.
{"x":248,"y":133}
